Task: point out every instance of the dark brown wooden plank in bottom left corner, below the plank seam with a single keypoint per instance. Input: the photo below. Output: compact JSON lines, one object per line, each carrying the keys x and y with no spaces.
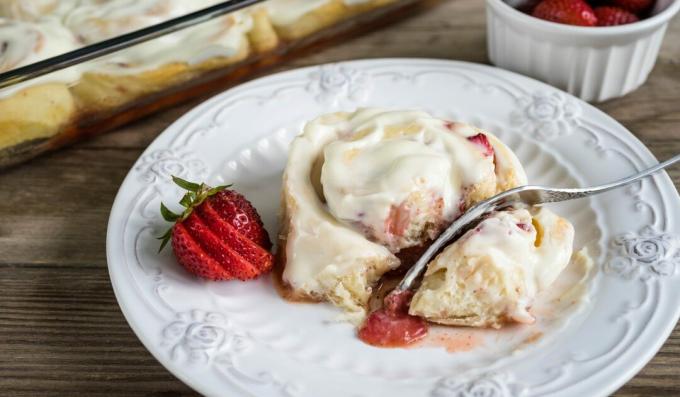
{"x":62,"y":333}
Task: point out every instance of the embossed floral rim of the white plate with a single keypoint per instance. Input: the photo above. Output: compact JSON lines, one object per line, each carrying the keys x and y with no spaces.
{"x":634,"y":260}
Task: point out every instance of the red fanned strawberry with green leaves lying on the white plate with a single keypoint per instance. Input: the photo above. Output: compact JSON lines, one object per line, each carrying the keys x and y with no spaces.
{"x":219,"y":235}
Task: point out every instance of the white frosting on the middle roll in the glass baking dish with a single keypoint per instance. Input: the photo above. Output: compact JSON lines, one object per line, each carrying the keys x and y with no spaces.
{"x":96,"y":20}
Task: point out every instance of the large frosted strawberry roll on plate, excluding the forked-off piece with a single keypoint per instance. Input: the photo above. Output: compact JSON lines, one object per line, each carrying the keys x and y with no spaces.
{"x":360,"y":187}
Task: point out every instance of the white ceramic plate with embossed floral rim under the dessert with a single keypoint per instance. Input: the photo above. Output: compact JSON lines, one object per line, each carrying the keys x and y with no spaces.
{"x":237,"y":338}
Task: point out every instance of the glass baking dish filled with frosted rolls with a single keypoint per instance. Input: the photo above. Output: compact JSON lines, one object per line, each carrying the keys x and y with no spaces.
{"x":92,"y":97}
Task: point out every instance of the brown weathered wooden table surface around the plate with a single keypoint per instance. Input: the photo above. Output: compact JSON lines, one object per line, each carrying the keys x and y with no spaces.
{"x":61,"y":331}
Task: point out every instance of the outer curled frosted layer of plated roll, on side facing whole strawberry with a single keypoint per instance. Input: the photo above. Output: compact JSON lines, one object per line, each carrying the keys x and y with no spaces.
{"x":320,"y":250}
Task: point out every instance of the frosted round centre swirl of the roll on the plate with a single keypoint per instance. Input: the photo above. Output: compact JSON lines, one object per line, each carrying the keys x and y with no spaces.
{"x":391,"y":166}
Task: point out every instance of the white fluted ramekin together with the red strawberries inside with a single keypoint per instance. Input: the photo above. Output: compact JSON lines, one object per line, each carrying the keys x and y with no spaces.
{"x":594,"y":49}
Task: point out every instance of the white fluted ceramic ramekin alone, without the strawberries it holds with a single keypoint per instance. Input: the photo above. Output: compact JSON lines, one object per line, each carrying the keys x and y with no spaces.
{"x":593,"y":63}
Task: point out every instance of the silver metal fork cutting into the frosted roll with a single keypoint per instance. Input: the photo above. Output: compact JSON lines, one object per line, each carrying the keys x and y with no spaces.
{"x":524,"y":195}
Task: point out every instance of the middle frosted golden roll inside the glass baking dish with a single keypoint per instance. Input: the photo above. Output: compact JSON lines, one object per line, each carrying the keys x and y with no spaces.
{"x":161,"y":63}
